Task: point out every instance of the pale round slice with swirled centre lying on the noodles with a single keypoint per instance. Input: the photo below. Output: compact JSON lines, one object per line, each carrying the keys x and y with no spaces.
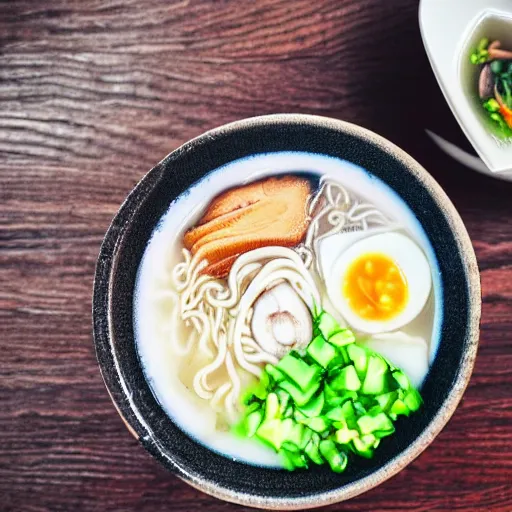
{"x":281,"y":321}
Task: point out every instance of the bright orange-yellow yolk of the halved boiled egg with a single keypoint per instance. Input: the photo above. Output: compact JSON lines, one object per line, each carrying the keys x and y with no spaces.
{"x":375,"y":287}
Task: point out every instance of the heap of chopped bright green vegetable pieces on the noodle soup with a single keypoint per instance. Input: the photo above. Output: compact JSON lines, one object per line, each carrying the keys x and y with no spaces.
{"x":335,"y":398}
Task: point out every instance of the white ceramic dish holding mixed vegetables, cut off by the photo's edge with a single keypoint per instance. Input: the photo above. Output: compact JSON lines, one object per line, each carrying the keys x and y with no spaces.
{"x":450,"y":29}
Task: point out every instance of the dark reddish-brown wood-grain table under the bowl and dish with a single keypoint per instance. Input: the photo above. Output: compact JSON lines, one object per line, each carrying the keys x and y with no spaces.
{"x":92,"y":94}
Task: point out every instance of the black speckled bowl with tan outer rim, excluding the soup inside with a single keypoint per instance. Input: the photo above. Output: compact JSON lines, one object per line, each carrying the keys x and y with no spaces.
{"x":121,"y":254}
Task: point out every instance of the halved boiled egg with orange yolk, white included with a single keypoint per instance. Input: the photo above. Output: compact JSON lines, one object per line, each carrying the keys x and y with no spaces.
{"x":378,"y":283}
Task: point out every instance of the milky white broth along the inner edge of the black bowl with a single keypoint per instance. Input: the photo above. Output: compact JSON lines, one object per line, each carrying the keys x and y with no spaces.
{"x":169,"y":375}
